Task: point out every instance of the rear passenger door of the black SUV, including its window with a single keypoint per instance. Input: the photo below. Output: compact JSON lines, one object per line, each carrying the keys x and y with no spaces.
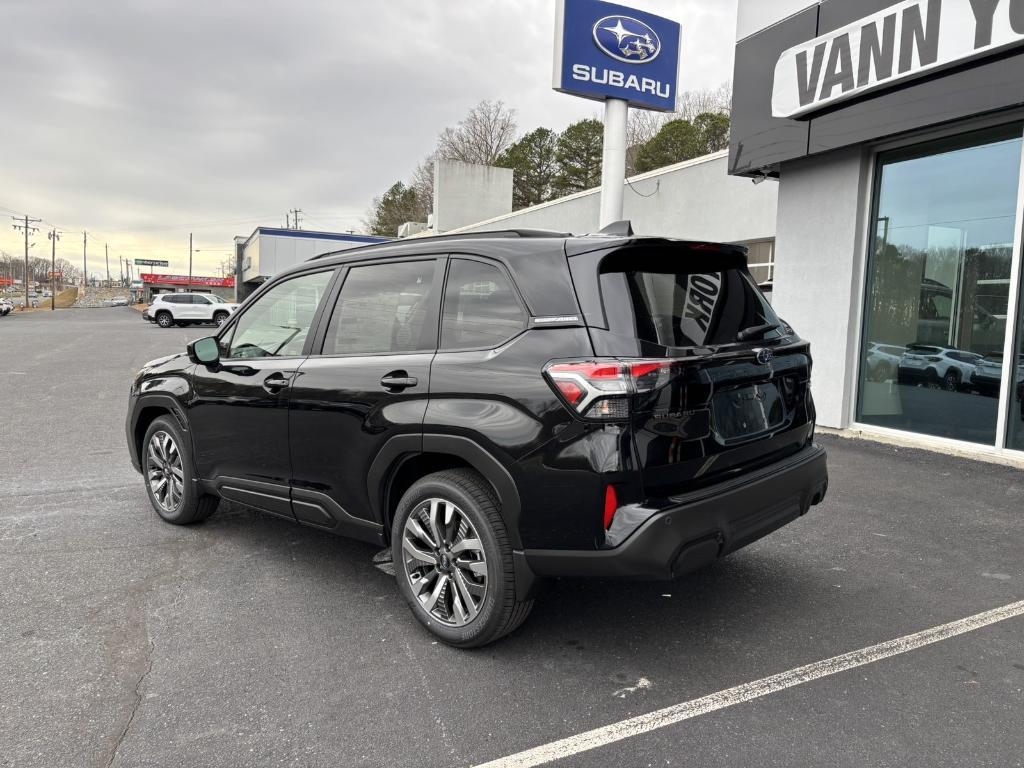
{"x":369,"y":385}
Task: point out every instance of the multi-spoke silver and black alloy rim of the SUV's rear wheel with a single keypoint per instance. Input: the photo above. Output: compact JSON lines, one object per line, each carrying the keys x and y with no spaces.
{"x":445,"y":563}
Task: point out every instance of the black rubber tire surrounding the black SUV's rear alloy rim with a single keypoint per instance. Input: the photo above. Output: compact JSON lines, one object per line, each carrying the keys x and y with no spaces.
{"x":499,"y":612}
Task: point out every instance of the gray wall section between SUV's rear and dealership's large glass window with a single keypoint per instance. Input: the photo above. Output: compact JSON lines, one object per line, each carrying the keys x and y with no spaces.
{"x":820,"y":258}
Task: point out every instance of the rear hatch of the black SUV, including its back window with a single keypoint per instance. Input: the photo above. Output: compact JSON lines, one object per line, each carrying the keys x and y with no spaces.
{"x":720,"y":386}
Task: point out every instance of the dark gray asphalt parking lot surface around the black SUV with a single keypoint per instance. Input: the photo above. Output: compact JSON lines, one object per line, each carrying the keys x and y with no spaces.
{"x":247,"y":642}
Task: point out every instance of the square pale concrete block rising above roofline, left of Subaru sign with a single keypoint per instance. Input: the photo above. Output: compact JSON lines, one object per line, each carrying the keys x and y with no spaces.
{"x":465,"y":193}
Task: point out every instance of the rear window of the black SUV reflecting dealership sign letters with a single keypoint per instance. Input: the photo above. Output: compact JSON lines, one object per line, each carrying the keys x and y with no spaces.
{"x":681,"y":297}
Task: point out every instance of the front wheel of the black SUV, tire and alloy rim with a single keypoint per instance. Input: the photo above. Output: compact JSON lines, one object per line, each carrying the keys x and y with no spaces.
{"x":170,"y":476}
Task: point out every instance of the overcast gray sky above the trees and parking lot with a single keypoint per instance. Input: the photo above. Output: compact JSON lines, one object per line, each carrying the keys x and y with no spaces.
{"x":144,"y":121}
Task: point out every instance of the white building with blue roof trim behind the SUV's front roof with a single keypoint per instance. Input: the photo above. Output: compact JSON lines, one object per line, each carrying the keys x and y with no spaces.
{"x":270,"y":250}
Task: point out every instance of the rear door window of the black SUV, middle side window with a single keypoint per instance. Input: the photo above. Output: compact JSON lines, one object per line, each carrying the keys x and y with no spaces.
{"x":386,"y":309}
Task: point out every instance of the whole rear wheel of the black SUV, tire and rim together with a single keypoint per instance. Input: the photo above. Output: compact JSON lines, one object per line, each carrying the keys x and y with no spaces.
{"x":454,"y":561}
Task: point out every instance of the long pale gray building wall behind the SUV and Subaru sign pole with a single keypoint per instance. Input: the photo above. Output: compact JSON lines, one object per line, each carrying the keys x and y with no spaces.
{"x":696,"y":200}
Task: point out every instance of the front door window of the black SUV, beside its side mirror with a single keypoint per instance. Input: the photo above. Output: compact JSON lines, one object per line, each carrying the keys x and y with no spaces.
{"x":278,"y":324}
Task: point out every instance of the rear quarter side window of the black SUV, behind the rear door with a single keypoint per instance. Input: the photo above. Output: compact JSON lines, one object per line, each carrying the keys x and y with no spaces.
{"x":481,"y":308}
